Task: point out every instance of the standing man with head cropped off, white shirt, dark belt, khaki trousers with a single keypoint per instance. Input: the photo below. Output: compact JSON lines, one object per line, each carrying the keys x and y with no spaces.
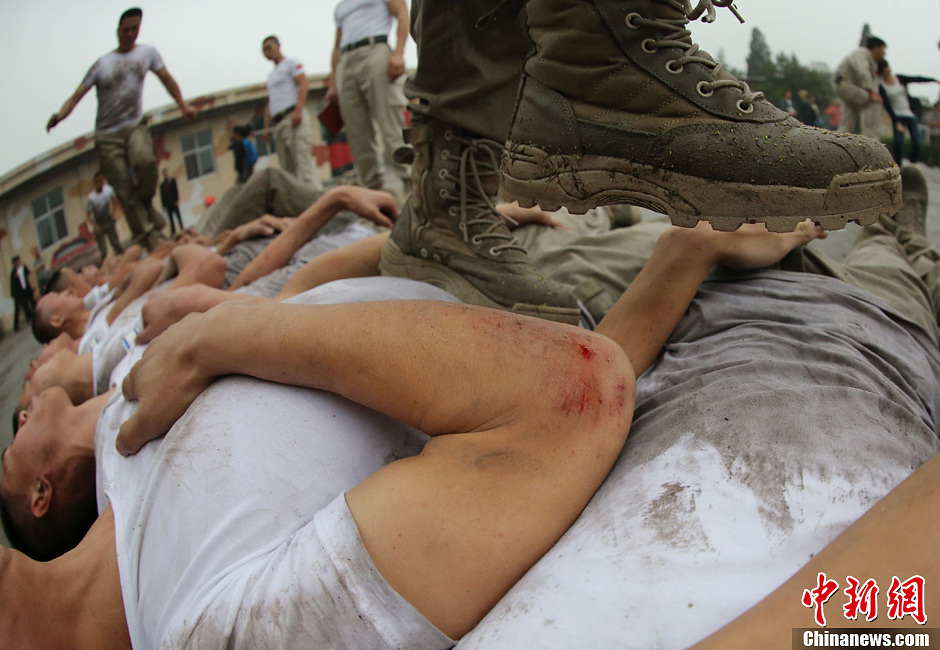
{"x":368,"y":78}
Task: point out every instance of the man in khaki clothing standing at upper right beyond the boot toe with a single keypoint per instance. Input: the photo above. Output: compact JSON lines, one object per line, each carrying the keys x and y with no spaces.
{"x":857,"y":86}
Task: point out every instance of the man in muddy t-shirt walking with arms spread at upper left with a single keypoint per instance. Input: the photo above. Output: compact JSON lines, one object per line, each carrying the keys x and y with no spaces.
{"x":122,"y":140}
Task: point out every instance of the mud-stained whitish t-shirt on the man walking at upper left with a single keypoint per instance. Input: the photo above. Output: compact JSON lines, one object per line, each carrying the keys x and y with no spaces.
{"x":118,"y":78}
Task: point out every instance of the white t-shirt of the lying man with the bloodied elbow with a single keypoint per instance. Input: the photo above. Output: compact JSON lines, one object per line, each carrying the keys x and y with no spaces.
{"x":232,"y":531}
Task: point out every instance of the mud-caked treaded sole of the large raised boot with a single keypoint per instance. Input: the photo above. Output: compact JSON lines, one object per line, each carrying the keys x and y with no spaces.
{"x":532,"y":176}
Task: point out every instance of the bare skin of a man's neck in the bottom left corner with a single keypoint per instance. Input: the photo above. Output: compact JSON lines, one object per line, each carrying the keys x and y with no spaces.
{"x":80,"y":592}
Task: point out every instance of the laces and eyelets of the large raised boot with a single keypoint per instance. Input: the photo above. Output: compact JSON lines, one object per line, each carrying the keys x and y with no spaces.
{"x":677,"y":35}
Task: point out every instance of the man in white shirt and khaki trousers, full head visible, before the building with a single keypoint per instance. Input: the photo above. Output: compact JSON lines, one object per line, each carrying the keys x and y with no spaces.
{"x":287,"y":114}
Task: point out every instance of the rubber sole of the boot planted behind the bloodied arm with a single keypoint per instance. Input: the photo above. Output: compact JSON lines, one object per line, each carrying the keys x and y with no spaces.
{"x":396,"y":262}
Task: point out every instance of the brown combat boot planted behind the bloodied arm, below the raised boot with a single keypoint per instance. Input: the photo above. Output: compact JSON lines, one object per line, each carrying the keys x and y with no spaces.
{"x":450,"y":235}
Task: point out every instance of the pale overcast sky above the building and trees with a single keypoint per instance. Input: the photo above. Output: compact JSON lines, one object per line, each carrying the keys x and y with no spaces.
{"x":211,"y":45}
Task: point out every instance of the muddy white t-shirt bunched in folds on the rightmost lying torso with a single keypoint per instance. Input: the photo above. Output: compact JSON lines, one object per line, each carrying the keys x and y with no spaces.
{"x":782,"y":409}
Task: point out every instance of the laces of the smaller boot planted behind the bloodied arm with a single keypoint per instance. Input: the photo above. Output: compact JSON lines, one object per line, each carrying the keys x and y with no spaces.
{"x":479,"y":220}
